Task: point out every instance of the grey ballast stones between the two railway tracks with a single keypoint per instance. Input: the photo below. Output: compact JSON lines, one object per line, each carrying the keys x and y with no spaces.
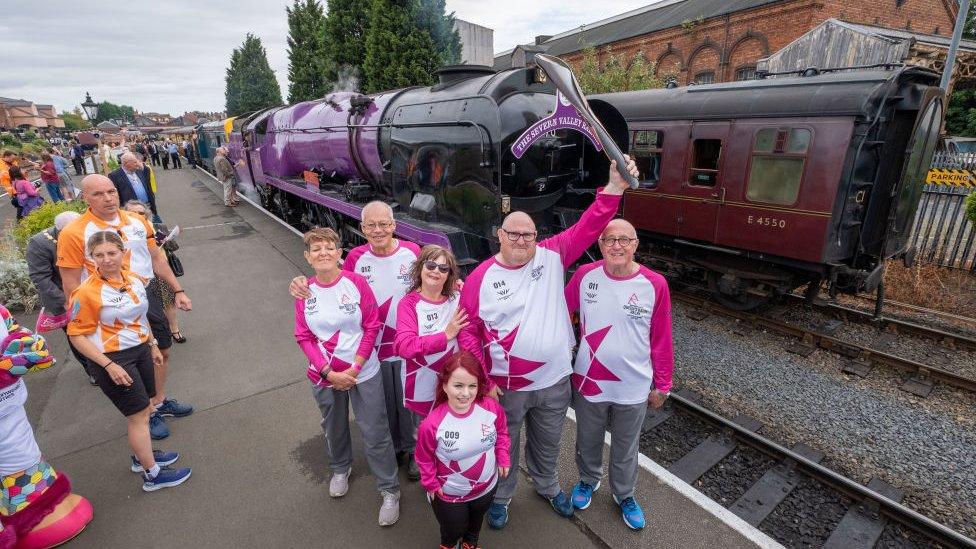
{"x":864,"y":432}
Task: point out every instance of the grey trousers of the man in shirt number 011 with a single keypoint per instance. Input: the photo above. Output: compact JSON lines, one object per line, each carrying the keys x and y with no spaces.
{"x":624,"y":422}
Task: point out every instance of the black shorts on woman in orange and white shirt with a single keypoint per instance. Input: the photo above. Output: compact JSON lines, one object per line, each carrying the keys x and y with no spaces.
{"x":137,"y":362}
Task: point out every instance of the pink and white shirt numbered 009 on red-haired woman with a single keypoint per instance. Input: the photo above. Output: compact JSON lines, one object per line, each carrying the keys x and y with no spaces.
{"x":460,"y":455}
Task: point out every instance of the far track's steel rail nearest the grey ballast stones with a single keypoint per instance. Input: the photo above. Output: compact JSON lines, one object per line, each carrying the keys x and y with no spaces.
{"x":832,"y":343}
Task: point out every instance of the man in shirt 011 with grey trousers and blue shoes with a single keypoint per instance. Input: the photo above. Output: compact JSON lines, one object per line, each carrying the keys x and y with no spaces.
{"x":625,"y":360}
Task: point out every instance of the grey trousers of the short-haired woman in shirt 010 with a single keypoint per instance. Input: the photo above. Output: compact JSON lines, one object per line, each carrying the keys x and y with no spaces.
{"x":367,"y":403}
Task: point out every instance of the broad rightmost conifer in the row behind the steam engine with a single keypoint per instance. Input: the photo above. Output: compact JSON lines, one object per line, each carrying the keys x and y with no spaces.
{"x":399,"y":52}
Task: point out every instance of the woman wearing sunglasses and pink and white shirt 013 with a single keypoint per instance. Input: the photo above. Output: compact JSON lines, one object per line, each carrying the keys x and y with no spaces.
{"x":428,"y":322}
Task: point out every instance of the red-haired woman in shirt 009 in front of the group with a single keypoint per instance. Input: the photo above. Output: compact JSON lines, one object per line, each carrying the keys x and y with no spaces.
{"x":462,"y":449}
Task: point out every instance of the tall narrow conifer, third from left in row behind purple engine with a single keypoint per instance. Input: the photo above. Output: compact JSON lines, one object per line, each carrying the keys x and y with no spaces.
{"x":346,"y":28}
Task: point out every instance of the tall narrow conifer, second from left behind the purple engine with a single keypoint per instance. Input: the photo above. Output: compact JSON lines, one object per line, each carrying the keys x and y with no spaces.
{"x":308,"y":62}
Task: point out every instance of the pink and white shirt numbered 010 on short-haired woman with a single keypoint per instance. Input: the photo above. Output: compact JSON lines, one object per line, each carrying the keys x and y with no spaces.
{"x":337,"y":323}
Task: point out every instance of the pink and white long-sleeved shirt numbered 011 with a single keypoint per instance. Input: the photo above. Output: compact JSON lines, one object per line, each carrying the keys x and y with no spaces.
{"x":625,"y":334}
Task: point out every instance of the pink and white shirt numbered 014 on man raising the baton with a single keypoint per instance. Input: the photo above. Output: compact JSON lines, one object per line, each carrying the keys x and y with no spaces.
{"x":518,"y":314}
